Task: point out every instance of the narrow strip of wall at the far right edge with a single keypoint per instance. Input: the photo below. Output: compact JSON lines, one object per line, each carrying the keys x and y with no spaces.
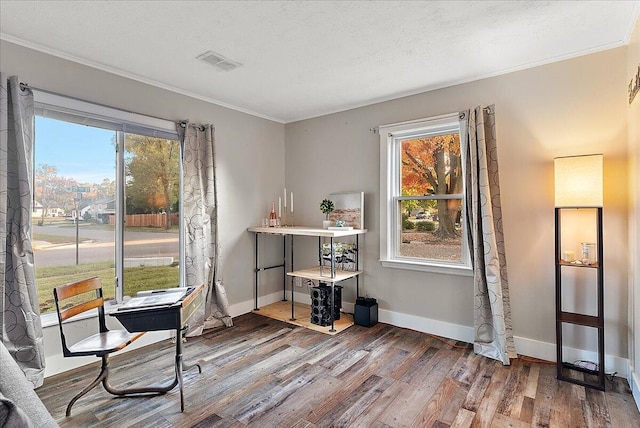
{"x":633,"y":115}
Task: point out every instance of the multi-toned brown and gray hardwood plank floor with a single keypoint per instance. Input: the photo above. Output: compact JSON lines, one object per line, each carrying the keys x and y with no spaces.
{"x":266,"y":373}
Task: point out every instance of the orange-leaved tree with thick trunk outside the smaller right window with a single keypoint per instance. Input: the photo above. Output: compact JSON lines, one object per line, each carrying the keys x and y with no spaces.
{"x":432,"y":166}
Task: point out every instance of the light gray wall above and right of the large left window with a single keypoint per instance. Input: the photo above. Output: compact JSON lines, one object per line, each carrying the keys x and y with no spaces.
{"x":249,"y":150}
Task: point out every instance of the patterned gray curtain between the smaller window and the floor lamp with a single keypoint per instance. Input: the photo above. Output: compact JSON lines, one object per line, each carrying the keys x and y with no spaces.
{"x":492,"y":309}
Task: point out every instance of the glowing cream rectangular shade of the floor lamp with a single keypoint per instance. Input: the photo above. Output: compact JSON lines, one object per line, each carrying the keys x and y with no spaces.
{"x":578,"y":181}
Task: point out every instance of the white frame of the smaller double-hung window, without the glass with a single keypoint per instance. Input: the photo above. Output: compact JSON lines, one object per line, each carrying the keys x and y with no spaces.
{"x":391,"y":137}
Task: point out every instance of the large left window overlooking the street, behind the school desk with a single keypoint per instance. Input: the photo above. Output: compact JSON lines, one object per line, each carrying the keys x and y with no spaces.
{"x":106,"y":199}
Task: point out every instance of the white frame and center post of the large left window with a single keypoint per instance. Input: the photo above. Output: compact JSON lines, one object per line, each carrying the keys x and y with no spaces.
{"x":55,"y":106}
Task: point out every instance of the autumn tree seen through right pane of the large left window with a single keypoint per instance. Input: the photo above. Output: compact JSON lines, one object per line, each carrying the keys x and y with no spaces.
{"x":152,"y":170}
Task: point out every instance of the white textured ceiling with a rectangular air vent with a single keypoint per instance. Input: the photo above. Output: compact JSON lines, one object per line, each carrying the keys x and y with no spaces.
{"x":302,"y":59}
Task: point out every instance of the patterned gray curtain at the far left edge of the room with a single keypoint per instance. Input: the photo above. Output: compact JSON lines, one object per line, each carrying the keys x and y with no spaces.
{"x":20,"y":326}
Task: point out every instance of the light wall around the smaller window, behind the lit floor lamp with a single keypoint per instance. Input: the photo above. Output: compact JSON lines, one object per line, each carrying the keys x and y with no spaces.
{"x":568,"y":108}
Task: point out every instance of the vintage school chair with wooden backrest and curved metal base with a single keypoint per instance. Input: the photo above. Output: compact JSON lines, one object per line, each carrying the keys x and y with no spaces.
{"x":77,"y":298}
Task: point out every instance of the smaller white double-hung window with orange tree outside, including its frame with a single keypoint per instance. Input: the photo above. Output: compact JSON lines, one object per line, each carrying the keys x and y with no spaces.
{"x":422,"y":215}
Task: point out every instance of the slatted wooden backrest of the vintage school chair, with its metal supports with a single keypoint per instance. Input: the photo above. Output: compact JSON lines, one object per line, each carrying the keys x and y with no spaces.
{"x":76,"y":298}
